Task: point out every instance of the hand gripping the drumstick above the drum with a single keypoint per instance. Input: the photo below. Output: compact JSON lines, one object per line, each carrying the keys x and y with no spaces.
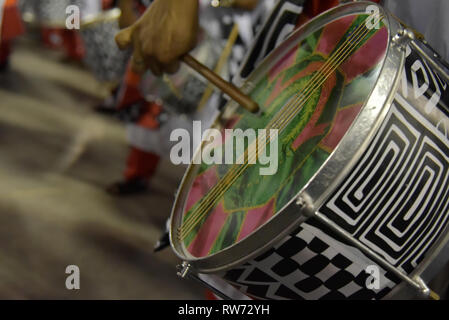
{"x":163,"y":34}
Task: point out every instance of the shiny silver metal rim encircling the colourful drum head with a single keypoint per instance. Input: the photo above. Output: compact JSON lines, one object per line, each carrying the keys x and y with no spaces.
{"x":323,"y":183}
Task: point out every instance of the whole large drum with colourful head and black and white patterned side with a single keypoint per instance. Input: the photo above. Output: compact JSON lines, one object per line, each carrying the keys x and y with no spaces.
{"x":353,"y":203}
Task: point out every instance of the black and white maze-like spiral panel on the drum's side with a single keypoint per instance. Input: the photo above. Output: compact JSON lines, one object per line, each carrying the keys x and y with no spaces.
{"x":396,"y":199}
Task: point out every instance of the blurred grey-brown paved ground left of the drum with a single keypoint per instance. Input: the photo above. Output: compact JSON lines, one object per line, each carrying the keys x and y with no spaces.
{"x":56,"y":157}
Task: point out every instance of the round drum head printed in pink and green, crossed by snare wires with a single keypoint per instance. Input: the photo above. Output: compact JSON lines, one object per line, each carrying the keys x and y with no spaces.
{"x":311,"y":89}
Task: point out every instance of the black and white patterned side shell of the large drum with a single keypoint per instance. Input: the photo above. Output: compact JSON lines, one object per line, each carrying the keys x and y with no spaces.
{"x":314,"y":262}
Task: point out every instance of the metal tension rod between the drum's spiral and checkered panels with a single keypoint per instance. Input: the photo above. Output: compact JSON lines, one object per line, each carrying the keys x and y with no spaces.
{"x":416,"y":281}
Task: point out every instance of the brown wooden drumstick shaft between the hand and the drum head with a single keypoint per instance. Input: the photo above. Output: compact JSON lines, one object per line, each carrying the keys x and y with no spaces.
{"x":225,"y":86}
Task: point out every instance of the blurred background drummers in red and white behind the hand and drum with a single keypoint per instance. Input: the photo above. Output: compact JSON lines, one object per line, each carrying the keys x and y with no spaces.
{"x":152,"y":106}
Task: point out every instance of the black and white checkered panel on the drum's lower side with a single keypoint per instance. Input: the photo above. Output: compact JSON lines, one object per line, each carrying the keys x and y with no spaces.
{"x":309,"y":264}
